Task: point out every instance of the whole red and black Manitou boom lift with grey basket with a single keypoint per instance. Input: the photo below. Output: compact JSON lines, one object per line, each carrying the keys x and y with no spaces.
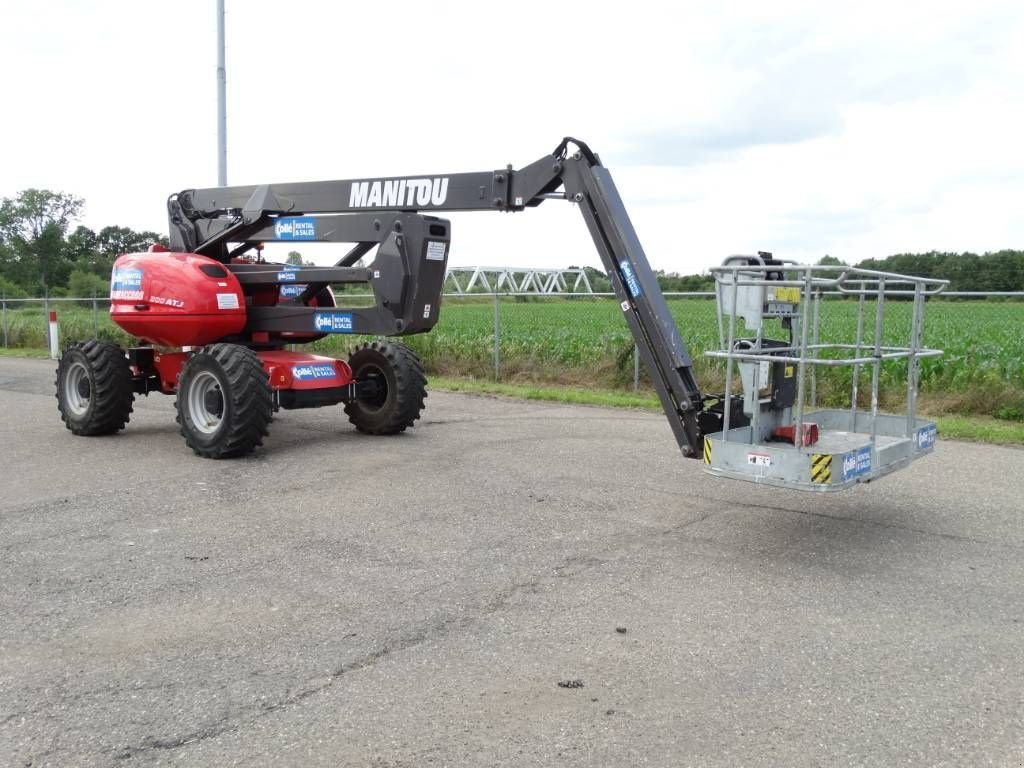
{"x":231,"y":315}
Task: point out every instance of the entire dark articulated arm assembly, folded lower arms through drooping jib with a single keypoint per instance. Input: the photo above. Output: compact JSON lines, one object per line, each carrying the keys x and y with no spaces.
{"x":407,"y":278}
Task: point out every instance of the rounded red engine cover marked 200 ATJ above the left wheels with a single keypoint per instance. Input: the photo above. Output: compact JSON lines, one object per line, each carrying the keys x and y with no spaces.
{"x":176,"y":300}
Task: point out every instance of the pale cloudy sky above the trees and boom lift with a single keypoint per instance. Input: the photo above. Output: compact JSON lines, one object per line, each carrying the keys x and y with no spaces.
{"x":803,"y":129}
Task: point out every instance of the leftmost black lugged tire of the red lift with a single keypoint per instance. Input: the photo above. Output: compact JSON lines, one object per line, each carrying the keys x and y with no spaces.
{"x":103,"y":397}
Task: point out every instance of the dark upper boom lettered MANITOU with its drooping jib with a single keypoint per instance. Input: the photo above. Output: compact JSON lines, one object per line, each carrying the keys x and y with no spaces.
{"x":206,"y":221}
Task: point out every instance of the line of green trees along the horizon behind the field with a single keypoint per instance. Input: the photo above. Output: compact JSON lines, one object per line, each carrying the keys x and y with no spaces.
{"x":41,"y":254}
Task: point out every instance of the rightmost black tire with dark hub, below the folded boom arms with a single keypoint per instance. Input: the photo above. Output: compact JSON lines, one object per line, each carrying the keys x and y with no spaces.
{"x":400,"y":373}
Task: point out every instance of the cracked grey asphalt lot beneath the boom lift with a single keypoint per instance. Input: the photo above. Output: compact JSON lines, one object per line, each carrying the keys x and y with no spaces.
{"x":345,"y":601}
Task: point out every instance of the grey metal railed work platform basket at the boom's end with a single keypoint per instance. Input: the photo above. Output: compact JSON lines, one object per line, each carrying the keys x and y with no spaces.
{"x":780,"y":437}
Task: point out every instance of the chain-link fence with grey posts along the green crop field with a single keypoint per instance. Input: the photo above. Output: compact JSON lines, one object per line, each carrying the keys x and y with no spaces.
{"x":583,"y":340}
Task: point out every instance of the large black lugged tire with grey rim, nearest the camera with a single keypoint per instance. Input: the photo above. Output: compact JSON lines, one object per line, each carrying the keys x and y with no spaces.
{"x":234,"y":377}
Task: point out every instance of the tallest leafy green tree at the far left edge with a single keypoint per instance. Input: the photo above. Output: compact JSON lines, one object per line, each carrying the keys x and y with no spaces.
{"x":33,"y":226}
